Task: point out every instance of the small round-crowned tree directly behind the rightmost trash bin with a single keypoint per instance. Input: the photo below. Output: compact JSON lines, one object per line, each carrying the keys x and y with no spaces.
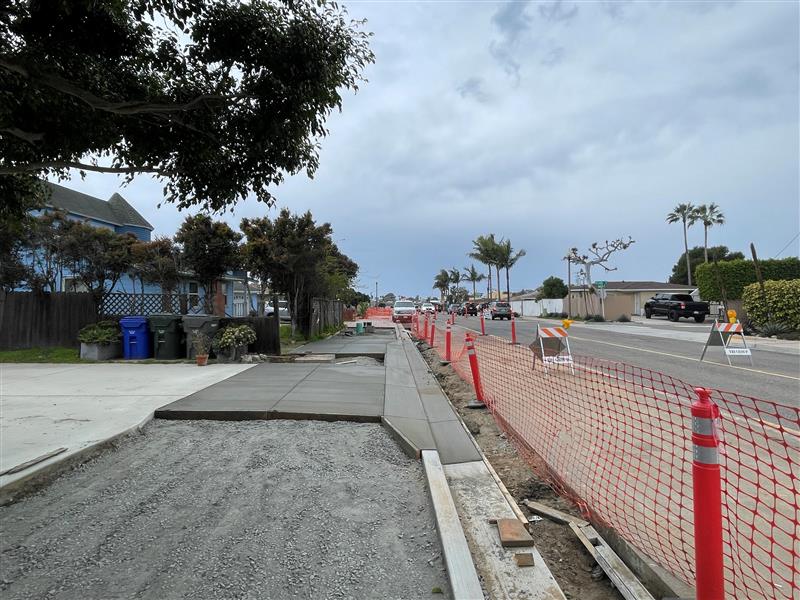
{"x":208,"y":248}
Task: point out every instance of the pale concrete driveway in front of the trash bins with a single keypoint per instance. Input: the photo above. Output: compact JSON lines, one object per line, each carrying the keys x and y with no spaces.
{"x":45,"y":407}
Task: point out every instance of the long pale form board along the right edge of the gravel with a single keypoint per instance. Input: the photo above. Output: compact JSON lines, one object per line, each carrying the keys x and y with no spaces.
{"x":457,"y":557}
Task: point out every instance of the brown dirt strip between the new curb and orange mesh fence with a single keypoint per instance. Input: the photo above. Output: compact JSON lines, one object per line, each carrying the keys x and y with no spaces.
{"x":569,"y":562}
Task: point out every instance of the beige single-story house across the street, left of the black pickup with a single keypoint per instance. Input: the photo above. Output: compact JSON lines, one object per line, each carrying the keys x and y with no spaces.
{"x":622,"y":297}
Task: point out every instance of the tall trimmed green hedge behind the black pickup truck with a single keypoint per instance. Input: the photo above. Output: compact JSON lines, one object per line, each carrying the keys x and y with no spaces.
{"x":738,"y":274}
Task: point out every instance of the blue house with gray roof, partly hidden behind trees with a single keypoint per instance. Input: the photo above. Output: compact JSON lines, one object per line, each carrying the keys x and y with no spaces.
{"x":119,"y":216}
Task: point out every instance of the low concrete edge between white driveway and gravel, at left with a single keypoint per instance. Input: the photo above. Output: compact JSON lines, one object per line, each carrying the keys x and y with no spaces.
{"x":45,"y":473}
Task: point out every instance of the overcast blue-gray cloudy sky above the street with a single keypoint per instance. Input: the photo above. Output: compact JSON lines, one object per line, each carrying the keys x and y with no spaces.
{"x":554,"y":124}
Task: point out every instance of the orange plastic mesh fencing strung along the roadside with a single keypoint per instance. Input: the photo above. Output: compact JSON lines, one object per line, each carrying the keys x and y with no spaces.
{"x":616,"y":440}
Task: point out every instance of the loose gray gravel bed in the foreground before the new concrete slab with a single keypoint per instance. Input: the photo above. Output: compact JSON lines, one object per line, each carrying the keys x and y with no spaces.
{"x":204,"y":509}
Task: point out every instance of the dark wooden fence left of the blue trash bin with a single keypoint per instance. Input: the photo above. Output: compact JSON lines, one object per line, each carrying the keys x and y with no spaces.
{"x":29,"y":320}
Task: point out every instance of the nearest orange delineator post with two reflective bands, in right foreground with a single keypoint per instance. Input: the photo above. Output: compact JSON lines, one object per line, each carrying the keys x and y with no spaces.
{"x":710,"y":581}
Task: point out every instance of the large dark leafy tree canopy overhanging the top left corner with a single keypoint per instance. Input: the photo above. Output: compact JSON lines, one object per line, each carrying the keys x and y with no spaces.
{"x":216,"y":98}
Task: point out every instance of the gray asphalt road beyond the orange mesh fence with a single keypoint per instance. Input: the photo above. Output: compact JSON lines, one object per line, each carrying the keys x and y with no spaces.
{"x":674,"y":349}
